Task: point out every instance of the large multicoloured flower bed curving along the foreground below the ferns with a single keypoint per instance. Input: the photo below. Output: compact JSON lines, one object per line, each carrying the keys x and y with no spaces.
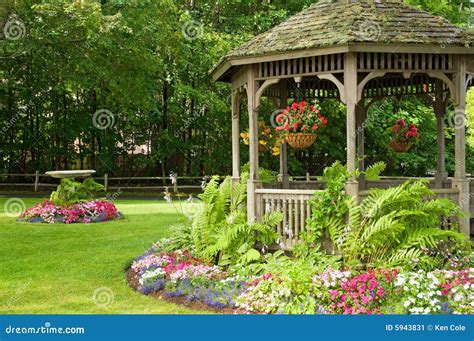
{"x":378,"y":291}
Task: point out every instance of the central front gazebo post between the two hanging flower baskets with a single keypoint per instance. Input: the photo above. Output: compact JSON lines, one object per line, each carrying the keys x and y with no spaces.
{"x":350,"y":86}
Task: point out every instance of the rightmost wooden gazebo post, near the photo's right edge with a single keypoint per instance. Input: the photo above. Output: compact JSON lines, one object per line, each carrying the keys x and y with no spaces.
{"x":460,"y":180}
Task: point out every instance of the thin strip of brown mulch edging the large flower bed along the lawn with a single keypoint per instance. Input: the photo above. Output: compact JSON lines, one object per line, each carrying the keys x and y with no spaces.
{"x":132,"y":280}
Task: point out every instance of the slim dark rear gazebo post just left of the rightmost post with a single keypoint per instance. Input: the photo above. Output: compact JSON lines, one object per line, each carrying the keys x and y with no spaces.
{"x":440,"y":112}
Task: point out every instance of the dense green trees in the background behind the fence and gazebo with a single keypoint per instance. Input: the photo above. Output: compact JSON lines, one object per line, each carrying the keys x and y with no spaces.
{"x":122,"y":86}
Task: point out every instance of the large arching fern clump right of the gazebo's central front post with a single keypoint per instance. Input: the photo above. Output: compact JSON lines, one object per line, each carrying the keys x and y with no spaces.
{"x":399,"y":226}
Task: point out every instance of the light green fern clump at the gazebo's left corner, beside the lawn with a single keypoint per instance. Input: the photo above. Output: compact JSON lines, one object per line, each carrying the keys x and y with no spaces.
{"x":220,"y":232}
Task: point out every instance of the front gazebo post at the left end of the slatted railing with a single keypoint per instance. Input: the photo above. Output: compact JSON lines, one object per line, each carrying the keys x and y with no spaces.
{"x":252,"y":185}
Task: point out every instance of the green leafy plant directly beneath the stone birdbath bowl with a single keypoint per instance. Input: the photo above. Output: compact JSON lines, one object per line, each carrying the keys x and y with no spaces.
{"x":70,"y":191}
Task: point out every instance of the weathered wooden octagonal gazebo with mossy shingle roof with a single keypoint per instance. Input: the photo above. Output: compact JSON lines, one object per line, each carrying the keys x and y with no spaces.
{"x":358,"y":52}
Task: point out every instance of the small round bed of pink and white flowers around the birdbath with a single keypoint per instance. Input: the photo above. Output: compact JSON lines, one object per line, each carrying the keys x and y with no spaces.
{"x":82,"y":212}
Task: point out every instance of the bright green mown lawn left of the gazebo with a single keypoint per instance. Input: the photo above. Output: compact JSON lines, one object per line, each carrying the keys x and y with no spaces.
{"x":55,"y":269}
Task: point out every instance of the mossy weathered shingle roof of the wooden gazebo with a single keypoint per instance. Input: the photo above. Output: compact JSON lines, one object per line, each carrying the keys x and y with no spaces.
{"x":331,"y":23}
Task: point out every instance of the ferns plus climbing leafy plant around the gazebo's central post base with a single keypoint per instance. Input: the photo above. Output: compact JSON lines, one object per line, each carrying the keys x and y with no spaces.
{"x":399,"y":226}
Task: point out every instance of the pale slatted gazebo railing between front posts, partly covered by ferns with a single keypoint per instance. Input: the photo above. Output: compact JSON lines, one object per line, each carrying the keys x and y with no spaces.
{"x":294,"y":206}
